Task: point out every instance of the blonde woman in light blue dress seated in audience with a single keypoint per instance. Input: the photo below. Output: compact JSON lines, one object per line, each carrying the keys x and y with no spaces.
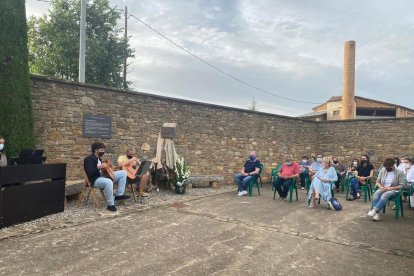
{"x":321,"y":184}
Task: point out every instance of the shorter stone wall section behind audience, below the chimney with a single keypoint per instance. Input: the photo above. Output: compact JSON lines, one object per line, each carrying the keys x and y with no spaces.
{"x":379,"y":138}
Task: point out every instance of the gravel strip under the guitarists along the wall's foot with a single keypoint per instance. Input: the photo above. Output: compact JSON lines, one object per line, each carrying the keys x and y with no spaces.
{"x":88,"y":212}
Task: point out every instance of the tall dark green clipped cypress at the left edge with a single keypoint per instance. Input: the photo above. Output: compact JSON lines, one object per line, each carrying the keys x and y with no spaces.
{"x":16,"y":116}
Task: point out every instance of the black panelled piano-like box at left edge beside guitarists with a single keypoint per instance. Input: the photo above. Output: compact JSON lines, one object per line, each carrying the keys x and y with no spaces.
{"x":29,"y":192}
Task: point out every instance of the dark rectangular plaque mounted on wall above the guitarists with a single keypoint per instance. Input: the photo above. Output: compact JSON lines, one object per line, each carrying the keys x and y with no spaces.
{"x":96,"y":126}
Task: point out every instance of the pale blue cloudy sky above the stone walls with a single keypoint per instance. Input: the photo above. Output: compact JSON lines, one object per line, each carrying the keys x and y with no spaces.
{"x":290,"y":48}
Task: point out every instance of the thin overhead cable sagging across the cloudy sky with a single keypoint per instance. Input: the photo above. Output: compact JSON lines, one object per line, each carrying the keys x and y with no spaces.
{"x":218,"y":69}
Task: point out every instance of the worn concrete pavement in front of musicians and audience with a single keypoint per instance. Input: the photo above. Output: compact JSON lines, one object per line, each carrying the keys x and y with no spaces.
{"x":221,"y":235}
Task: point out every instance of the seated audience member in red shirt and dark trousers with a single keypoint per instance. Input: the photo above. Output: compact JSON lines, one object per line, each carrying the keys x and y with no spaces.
{"x":289,"y":171}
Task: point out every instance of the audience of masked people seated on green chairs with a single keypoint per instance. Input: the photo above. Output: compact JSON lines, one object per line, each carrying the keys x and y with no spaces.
{"x":324,"y":174}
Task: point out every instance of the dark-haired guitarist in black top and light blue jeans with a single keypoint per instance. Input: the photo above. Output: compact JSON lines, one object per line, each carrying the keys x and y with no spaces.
{"x":93,"y":165}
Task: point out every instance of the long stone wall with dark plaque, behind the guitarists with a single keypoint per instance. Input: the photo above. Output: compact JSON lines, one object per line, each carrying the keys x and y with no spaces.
{"x":213,"y":139}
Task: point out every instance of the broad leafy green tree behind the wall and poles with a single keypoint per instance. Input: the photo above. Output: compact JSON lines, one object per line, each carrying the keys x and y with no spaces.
{"x":54,"y":43}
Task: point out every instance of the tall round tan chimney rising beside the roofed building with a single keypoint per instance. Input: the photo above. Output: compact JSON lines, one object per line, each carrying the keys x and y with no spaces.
{"x":348,"y":82}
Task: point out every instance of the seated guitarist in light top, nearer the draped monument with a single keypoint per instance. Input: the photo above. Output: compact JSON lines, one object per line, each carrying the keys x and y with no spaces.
{"x":134,"y":168}
